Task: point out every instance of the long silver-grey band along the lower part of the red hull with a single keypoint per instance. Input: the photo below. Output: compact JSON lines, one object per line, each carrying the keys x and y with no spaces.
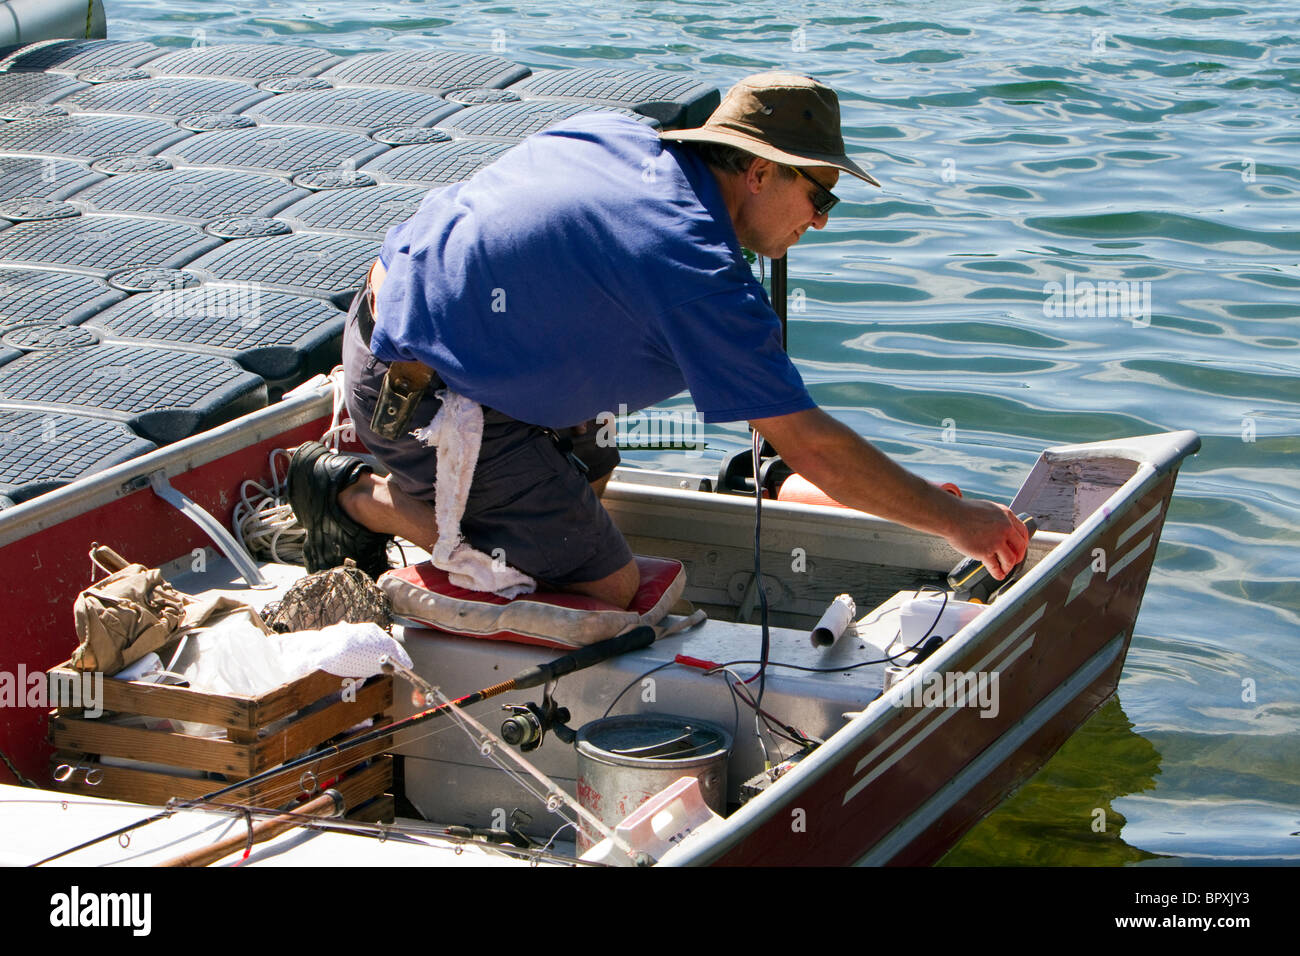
{"x":995,"y":755}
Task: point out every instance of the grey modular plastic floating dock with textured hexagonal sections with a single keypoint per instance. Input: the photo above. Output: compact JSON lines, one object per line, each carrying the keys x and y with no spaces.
{"x":181,"y":230}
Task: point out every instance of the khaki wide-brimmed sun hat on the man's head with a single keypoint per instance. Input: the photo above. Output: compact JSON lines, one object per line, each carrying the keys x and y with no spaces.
{"x":783,"y":118}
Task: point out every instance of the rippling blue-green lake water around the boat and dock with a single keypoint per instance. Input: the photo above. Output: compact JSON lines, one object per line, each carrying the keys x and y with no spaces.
{"x":1022,"y":145}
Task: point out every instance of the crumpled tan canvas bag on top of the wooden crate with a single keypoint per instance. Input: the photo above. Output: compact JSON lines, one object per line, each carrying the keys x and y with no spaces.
{"x":136,"y":612}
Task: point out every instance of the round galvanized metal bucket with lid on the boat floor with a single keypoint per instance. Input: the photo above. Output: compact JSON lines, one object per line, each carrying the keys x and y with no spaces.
{"x":623,"y":762}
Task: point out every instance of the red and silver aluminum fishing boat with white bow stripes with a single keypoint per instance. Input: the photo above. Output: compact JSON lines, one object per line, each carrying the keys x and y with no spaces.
{"x":903,"y":773}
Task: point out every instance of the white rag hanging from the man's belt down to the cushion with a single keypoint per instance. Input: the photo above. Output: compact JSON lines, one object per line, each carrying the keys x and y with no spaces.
{"x":457,"y":431}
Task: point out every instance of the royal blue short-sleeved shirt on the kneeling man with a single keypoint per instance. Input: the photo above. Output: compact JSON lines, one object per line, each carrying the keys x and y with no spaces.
{"x":590,"y":267}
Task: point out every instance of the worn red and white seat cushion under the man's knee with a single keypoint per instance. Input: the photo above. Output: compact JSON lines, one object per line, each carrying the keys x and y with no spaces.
{"x":556,"y":620}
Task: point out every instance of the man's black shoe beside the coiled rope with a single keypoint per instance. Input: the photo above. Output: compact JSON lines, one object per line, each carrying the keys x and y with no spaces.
{"x":317,"y":475}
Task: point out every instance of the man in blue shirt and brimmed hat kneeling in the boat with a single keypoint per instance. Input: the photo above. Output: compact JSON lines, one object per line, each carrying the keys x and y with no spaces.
{"x":600,"y":265}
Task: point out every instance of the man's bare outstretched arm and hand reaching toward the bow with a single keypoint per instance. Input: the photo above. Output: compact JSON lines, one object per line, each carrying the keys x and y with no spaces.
{"x":856,"y":474}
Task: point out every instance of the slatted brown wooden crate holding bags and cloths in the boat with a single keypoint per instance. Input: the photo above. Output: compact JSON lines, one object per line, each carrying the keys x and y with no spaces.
{"x":249,"y":746}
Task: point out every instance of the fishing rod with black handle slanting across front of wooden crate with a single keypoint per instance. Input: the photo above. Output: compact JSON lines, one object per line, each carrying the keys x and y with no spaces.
{"x":636,"y":639}
